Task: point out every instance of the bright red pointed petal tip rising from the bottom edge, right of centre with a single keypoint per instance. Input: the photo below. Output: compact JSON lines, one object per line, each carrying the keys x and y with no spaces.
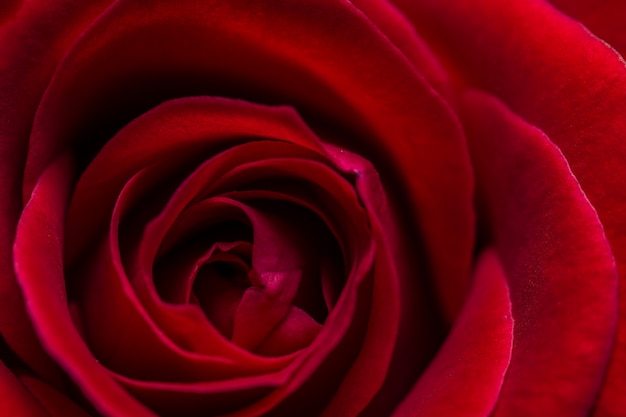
{"x":466,"y":376}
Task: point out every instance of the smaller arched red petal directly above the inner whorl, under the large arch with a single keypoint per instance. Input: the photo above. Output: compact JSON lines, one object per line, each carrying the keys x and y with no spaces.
{"x":174,"y":134}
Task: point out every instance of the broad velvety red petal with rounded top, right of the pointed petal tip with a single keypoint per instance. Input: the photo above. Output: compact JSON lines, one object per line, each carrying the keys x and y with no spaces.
{"x":556,"y":258}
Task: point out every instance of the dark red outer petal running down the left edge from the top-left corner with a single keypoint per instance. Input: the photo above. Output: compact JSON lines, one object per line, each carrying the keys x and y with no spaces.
{"x":32,"y":41}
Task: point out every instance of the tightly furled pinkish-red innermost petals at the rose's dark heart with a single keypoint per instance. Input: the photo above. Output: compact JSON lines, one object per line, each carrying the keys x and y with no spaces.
{"x":248,"y":303}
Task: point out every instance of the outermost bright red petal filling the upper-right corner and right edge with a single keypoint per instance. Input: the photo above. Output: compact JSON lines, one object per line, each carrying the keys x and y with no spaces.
{"x":554,"y":73}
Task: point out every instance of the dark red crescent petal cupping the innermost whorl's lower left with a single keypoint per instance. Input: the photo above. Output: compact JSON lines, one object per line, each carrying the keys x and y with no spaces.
{"x":127,"y":338}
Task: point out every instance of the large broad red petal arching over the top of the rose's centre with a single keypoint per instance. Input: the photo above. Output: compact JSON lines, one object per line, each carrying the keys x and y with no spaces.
{"x":339,"y":73}
